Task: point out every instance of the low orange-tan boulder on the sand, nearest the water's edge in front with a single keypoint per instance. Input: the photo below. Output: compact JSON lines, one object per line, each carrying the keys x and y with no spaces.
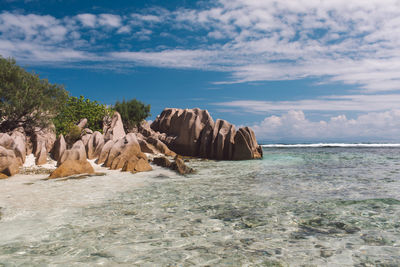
{"x":72,"y":167}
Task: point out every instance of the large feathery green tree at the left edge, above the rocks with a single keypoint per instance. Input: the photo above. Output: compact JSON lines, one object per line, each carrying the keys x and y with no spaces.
{"x":25,"y":99}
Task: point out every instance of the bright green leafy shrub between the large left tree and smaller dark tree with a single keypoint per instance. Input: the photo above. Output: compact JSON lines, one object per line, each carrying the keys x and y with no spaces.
{"x":76,"y":109}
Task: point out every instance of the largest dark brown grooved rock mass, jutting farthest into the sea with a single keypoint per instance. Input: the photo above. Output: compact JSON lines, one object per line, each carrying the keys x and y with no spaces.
{"x":193,"y":132}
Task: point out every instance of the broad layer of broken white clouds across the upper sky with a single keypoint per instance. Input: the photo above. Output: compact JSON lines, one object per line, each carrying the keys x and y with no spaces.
{"x":354,"y":42}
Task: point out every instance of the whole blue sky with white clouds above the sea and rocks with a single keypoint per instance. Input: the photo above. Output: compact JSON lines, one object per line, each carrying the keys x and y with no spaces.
{"x":295,"y":70}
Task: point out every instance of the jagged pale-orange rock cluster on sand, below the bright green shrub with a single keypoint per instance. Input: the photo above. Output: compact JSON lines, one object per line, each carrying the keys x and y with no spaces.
{"x":114,"y":149}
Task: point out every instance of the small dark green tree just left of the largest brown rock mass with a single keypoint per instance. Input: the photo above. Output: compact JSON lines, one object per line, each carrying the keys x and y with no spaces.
{"x":133,"y":112}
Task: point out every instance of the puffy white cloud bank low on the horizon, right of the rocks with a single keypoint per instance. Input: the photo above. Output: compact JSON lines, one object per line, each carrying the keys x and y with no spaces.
{"x":293,"y":126}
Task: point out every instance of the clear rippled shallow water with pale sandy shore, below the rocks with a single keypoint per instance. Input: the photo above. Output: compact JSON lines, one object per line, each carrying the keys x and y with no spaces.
{"x":296,"y":207}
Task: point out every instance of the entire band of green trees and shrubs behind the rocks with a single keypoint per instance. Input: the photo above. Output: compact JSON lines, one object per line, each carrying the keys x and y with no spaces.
{"x":28,"y":101}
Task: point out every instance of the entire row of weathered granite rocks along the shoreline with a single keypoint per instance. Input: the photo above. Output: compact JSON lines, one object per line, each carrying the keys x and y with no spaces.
{"x":190,"y":132}
